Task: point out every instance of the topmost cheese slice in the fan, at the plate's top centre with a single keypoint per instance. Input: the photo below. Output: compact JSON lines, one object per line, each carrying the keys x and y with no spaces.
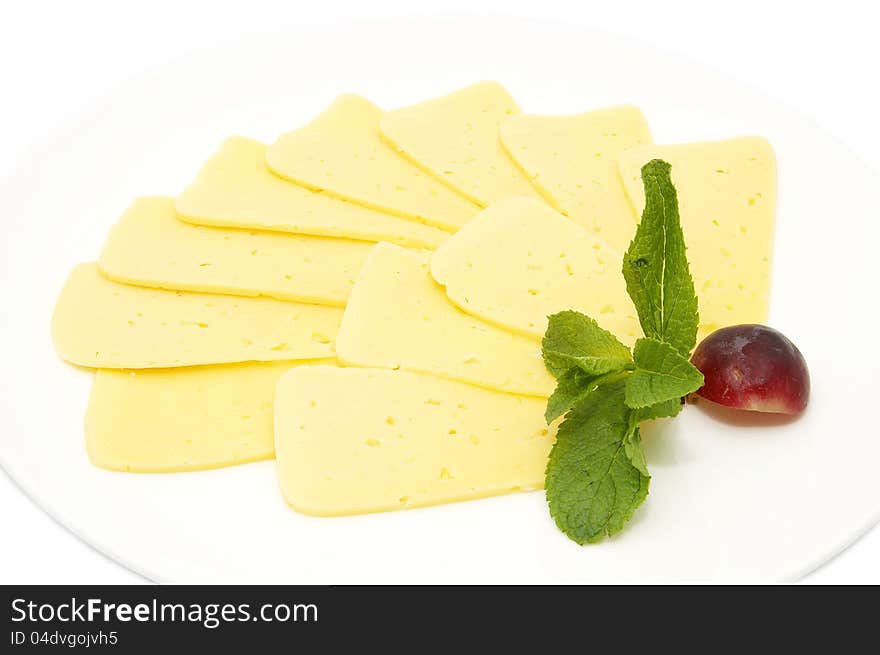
{"x":455,"y":138}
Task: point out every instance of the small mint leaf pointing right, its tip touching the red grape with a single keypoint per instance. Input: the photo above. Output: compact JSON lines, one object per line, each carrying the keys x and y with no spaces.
{"x":661,"y":374}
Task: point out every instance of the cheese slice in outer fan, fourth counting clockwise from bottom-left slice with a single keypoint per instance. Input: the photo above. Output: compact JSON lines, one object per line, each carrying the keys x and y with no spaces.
{"x":235,"y":188}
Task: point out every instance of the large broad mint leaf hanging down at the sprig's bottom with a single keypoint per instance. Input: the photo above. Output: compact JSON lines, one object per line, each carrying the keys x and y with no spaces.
{"x":592,"y":486}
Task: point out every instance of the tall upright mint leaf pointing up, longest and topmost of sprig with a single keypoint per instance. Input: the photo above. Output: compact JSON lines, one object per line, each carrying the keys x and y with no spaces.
{"x":655,"y":266}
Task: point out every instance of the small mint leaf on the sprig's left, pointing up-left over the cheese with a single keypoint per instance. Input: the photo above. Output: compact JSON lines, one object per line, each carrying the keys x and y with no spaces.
{"x":575,"y":340}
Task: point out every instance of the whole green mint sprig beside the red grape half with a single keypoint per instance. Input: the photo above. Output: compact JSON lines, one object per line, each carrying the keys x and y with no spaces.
{"x":597,"y":474}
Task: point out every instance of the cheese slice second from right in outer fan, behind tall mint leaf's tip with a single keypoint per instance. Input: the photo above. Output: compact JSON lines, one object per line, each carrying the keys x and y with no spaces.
{"x":573,"y":161}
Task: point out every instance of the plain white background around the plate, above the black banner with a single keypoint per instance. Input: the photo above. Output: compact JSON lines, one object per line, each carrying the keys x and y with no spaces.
{"x":58,"y":57}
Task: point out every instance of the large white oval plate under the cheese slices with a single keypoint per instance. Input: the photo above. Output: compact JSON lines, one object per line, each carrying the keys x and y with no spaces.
{"x":729,"y":501}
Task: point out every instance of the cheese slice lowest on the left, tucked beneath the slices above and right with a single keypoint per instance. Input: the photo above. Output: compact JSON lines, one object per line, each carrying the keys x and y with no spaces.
{"x":182,"y":419}
